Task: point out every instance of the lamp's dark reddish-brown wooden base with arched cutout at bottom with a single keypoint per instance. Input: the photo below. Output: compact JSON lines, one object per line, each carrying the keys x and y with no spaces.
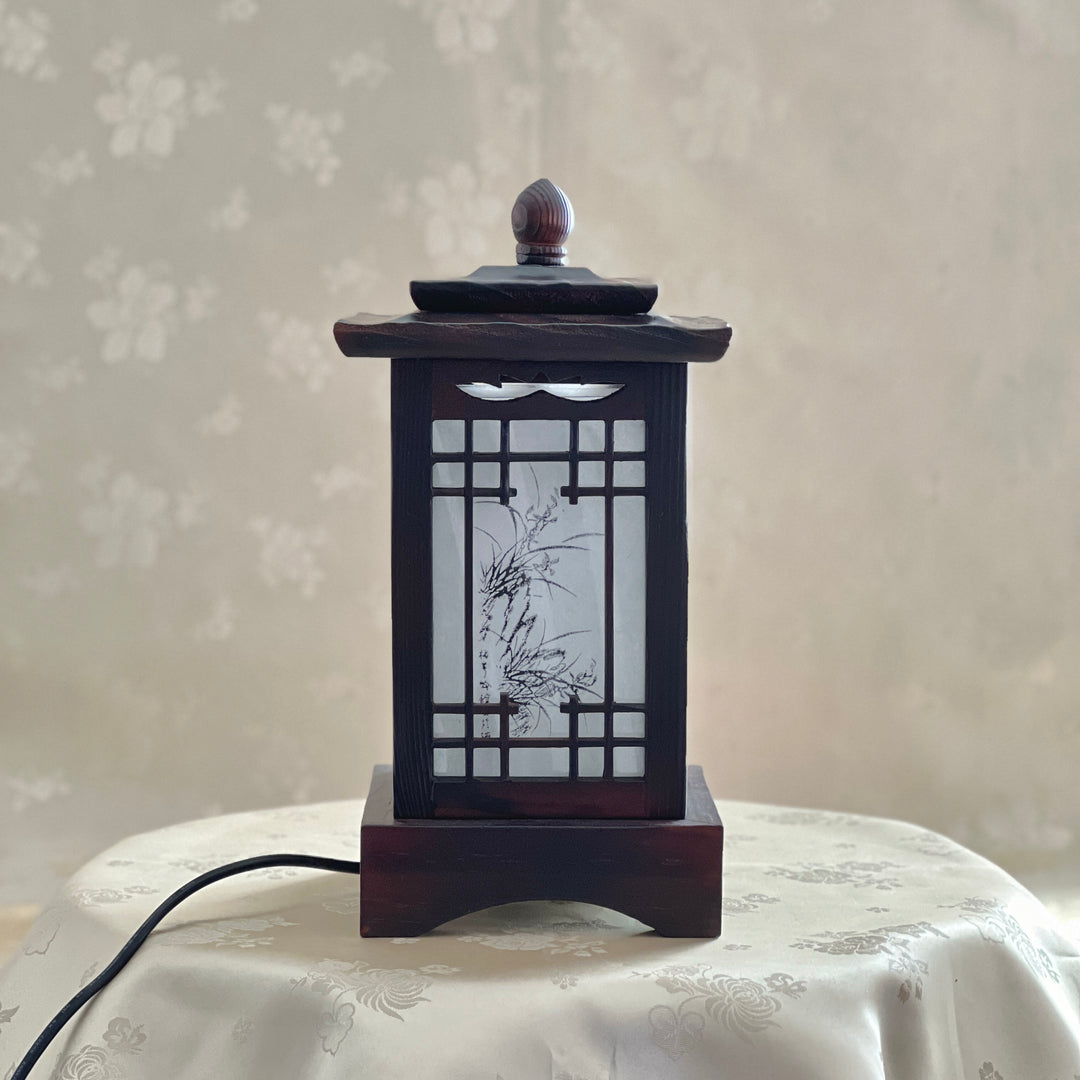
{"x":417,"y":874}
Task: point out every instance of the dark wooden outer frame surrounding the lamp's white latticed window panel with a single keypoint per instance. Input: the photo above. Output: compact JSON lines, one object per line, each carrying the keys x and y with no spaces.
{"x":424,"y":390}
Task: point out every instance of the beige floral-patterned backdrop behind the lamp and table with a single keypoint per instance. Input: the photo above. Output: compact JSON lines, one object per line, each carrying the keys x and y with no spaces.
{"x":885,"y":201}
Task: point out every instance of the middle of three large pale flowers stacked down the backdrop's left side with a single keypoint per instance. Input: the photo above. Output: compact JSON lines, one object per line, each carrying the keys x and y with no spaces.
{"x":139,"y":313}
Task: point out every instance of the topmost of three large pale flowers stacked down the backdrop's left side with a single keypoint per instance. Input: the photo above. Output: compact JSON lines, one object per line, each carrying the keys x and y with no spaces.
{"x":148,"y":104}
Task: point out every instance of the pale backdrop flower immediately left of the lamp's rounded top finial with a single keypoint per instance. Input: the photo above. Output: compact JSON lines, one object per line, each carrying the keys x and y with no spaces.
{"x":460,"y":214}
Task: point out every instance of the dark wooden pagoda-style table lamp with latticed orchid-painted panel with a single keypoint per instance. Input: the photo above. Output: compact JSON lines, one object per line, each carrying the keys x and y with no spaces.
{"x":539,"y":591}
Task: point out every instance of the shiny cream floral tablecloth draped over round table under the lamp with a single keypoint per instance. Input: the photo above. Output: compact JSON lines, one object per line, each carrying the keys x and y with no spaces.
{"x":853,"y":948}
